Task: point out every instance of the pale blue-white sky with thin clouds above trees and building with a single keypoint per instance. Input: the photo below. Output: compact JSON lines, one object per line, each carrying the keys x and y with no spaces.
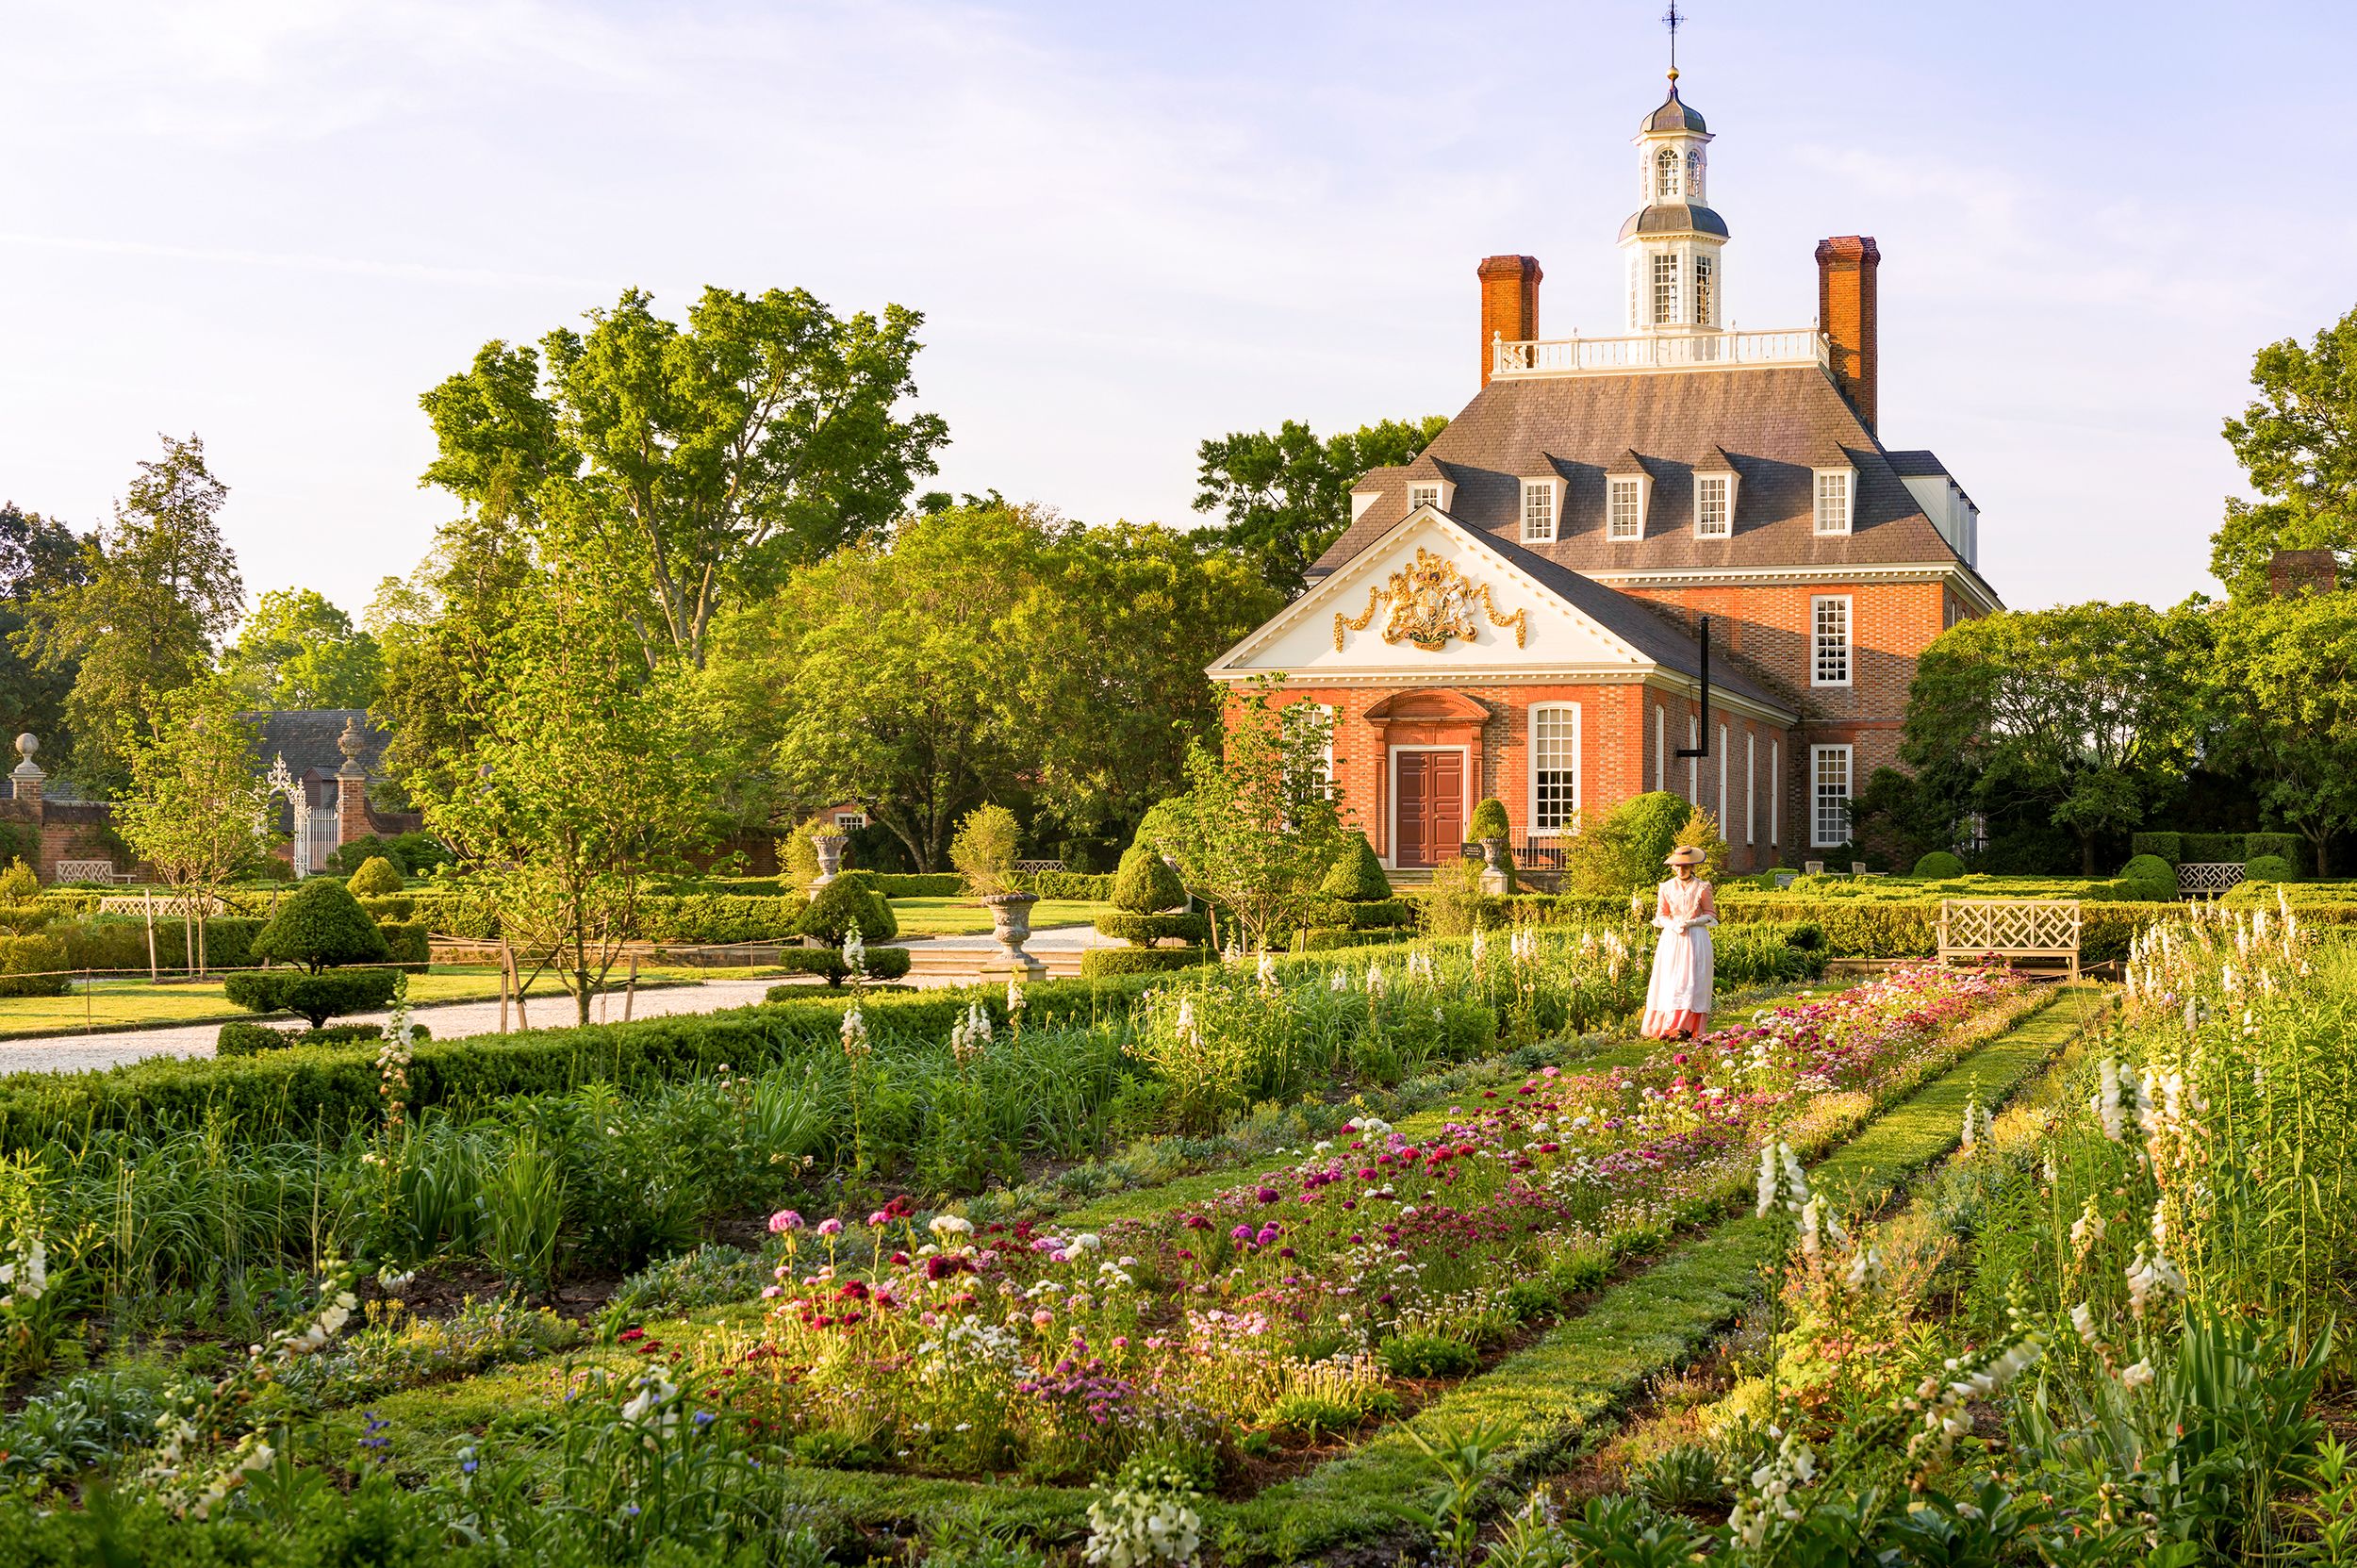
{"x":1135,"y":228}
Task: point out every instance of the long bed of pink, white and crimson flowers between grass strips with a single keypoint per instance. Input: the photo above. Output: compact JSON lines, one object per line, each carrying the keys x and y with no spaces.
{"x":1314,"y":1298}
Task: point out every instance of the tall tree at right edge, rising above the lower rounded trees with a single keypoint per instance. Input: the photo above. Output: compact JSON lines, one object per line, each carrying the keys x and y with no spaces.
{"x":2299,"y":447}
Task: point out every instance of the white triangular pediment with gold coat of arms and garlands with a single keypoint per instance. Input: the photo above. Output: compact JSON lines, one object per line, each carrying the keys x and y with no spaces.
{"x":1430,"y":600}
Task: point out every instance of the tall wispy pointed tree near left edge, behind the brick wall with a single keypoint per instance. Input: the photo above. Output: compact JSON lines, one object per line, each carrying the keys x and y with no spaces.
{"x":157,"y":591}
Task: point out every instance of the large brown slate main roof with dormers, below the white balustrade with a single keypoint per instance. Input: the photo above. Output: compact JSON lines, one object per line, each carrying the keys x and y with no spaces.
{"x":1774,"y":423}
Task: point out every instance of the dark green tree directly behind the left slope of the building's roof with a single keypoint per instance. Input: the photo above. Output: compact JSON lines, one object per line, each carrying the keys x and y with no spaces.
{"x":1288,"y":494}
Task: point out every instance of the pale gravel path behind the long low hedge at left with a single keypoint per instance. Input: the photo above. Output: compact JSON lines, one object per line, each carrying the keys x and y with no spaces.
{"x":458,"y":1020}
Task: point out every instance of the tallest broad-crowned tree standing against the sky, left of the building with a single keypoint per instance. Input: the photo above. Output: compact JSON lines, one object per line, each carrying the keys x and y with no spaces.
{"x":680,"y":470}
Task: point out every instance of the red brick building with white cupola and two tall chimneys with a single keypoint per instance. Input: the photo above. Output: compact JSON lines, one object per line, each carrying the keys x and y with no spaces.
{"x":1517,"y":612}
